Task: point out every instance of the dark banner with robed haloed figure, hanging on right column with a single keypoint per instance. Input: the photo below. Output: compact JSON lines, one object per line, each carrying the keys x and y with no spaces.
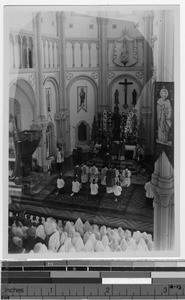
{"x":164,"y":119}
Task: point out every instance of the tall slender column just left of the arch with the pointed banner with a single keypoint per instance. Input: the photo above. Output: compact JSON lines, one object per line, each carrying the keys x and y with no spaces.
{"x":63,"y":123}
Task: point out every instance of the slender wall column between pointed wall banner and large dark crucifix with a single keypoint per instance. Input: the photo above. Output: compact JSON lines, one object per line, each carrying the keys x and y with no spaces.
{"x":102,"y":60}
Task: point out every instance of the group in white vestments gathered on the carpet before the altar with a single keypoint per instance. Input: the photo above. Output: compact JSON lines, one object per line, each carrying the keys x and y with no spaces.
{"x":112,"y":178}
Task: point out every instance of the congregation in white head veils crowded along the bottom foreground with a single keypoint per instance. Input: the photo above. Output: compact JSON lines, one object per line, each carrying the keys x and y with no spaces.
{"x":34,"y":234}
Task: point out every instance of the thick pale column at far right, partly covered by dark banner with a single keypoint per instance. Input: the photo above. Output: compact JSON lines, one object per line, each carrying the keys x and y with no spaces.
{"x":163,"y":177}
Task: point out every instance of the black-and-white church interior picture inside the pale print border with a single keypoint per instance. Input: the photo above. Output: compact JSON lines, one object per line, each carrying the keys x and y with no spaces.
{"x":91,"y":130}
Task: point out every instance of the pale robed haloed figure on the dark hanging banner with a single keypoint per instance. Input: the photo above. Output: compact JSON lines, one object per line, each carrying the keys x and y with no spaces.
{"x":164,"y":115}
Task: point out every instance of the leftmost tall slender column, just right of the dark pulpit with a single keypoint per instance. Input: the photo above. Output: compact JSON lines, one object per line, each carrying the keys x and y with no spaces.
{"x":39,"y":90}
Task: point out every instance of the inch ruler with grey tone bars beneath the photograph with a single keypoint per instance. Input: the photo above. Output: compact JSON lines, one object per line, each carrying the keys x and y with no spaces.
{"x":72,"y":280}
